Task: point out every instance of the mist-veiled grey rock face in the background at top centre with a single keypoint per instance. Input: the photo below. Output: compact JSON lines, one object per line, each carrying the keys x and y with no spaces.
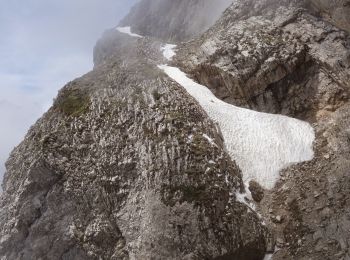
{"x":174,"y":20}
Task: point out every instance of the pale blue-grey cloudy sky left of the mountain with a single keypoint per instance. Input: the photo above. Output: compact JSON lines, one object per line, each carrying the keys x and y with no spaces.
{"x":43,"y":45}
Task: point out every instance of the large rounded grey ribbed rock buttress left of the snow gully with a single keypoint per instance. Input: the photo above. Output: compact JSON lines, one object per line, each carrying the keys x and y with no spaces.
{"x":120,"y":168}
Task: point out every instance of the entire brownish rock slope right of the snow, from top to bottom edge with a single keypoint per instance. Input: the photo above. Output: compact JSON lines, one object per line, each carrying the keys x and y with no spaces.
{"x":280,"y":57}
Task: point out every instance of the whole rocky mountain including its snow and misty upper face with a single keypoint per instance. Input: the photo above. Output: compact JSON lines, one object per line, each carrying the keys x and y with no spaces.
{"x":245,"y":157}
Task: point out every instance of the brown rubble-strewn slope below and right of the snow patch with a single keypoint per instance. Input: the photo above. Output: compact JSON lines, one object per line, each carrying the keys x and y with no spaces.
{"x":312,"y":199}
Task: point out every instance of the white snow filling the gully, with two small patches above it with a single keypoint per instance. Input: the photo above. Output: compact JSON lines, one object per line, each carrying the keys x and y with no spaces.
{"x":261,"y":144}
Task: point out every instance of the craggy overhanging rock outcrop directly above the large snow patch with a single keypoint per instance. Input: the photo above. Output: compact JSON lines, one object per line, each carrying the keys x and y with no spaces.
{"x":276,"y":59}
